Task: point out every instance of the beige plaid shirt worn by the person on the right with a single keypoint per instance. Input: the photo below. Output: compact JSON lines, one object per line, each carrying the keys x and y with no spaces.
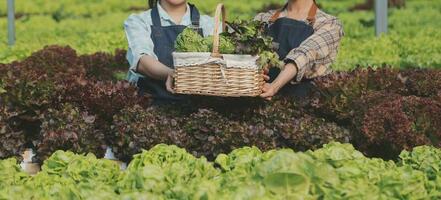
{"x":315,"y":55}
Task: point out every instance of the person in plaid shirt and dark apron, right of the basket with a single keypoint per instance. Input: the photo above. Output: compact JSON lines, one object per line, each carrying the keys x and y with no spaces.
{"x":307,"y":40}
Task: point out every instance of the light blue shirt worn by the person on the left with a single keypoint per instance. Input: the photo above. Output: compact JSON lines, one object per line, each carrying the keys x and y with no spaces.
{"x":138,"y":32}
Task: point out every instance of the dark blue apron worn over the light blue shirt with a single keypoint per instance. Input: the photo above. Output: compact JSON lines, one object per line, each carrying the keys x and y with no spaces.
{"x":164,"y":38}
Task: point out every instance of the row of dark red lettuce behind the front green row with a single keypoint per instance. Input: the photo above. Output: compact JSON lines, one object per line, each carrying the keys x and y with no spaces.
{"x":57,"y":100}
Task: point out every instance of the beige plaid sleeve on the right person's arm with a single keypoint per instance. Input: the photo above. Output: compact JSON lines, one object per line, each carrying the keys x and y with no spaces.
{"x":320,"y":48}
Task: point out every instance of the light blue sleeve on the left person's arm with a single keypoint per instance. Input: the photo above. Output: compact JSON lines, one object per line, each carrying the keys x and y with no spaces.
{"x":138,"y":33}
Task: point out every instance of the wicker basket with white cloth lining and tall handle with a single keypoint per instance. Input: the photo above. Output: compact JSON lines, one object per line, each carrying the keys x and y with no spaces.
{"x":215,"y":74}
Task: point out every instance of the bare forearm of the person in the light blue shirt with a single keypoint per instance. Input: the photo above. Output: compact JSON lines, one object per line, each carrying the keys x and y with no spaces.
{"x":151,"y":67}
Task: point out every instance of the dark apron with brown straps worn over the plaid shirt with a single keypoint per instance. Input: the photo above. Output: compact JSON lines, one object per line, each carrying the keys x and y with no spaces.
{"x":288,"y":34}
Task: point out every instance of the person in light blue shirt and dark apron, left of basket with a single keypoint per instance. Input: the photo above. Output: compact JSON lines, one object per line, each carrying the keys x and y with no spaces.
{"x":151,"y":36}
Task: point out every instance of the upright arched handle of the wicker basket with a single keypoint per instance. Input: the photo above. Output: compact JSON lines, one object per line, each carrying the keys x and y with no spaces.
{"x":220,"y":10}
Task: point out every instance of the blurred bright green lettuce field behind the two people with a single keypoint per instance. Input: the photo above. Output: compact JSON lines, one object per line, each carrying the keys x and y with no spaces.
{"x":99,"y":27}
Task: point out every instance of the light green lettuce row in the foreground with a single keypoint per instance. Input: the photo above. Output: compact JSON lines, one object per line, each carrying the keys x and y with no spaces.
{"x":336,"y":171}
